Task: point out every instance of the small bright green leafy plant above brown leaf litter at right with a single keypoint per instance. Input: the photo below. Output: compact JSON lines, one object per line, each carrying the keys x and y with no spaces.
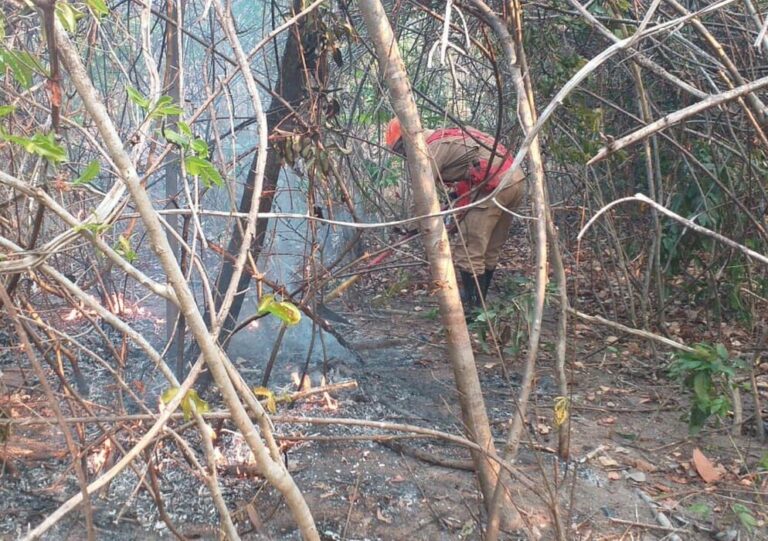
{"x":709,"y":372}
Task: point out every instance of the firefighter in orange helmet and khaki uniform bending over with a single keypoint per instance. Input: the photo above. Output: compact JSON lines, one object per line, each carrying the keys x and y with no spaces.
{"x":465,"y":161}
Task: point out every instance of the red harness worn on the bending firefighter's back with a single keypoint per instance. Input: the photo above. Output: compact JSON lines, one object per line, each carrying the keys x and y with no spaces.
{"x":478,"y":173}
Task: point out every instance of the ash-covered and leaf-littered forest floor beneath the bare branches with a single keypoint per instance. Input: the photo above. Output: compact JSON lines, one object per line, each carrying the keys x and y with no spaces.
{"x":628,"y":439}
